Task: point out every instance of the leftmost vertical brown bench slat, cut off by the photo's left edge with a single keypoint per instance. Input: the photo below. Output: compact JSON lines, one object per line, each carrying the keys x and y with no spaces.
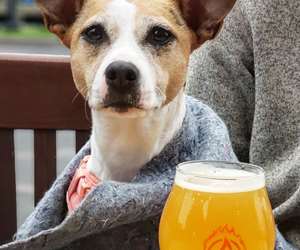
{"x":8,"y":207}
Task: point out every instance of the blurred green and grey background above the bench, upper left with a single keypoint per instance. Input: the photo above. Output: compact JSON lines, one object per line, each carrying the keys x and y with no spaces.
{"x":22,"y":29}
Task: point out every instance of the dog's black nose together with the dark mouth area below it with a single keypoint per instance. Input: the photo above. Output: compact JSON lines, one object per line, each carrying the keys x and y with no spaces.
{"x":123,"y":82}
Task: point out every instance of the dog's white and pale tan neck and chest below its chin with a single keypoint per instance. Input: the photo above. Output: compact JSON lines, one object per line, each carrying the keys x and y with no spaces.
{"x":121,"y":147}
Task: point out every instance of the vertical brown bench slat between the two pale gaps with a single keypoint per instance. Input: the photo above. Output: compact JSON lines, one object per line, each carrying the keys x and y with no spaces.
{"x":44,"y":161}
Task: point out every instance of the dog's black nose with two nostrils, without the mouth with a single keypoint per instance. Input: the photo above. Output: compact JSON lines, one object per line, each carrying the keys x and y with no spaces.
{"x":122,"y":76}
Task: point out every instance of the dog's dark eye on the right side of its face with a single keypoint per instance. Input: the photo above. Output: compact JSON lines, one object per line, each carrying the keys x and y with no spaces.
{"x":159,"y":37}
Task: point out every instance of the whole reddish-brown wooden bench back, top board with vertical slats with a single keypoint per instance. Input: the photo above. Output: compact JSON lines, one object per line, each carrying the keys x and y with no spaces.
{"x":36,"y":92}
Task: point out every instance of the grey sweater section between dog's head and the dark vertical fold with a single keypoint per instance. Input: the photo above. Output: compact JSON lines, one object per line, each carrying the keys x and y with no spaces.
{"x":221,"y":75}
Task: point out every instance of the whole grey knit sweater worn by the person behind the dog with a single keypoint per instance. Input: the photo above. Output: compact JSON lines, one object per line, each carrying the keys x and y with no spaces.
{"x":250,"y":75}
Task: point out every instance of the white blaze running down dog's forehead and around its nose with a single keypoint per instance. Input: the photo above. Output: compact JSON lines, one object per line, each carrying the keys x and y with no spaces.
{"x":125,"y":47}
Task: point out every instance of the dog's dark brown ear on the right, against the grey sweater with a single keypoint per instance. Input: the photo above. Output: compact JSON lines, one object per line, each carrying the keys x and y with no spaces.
{"x":205,"y":17}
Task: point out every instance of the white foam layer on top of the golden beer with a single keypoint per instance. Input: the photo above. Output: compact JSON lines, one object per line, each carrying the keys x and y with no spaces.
{"x":213,"y":179}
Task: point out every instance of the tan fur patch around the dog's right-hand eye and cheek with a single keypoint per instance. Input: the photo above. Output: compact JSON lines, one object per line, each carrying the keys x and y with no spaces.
{"x":171,"y":61}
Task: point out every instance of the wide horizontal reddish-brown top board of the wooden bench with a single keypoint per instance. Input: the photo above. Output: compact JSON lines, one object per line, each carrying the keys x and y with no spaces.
{"x":40,"y":93}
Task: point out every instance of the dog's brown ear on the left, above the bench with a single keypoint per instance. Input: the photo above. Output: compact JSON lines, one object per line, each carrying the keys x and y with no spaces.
{"x":59,"y":15}
